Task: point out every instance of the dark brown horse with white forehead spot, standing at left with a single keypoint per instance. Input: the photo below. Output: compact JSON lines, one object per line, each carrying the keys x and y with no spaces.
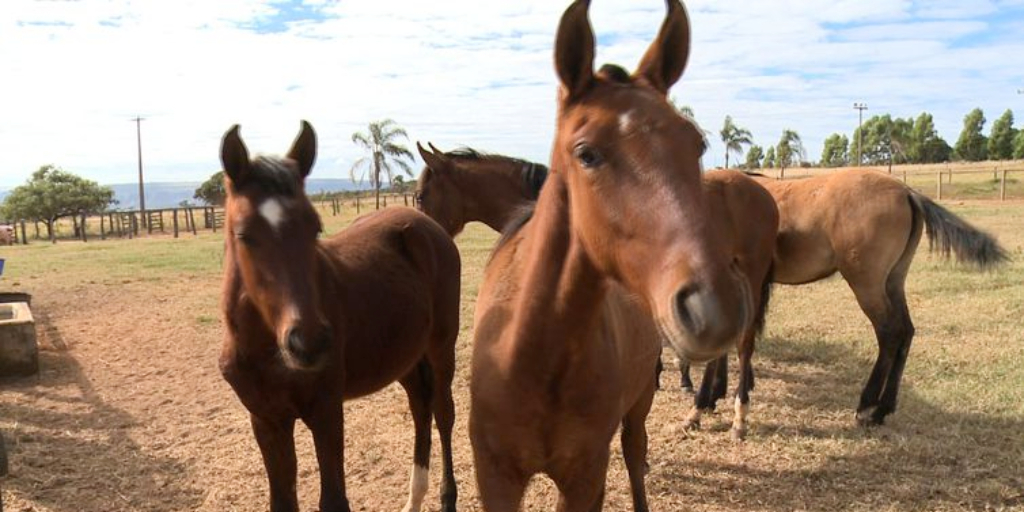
{"x":312,"y":323}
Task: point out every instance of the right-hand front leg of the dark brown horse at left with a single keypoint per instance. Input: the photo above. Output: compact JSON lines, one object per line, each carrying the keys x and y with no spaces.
{"x":327,"y":425}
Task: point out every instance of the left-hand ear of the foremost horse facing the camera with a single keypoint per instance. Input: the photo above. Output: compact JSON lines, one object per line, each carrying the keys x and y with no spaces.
{"x":575,"y":51}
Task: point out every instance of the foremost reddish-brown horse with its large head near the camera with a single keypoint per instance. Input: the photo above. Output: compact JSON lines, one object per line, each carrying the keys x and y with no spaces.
{"x":620,"y":248}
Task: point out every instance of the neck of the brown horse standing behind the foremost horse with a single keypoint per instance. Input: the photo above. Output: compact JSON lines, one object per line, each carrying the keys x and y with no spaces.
{"x":493,"y":193}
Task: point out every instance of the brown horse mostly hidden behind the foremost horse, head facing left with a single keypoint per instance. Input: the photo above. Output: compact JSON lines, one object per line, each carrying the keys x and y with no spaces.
{"x":465,"y":186}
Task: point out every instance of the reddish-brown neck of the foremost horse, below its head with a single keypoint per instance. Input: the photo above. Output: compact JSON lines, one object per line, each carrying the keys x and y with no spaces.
{"x":562,"y":289}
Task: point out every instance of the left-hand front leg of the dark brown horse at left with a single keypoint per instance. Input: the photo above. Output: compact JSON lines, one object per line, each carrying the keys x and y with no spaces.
{"x":276,"y":438}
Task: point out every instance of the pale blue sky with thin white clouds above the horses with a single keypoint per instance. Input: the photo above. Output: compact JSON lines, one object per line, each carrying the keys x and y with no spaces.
{"x":75,"y":73}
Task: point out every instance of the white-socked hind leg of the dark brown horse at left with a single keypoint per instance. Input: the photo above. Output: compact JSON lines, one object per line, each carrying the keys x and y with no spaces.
{"x":419,"y":389}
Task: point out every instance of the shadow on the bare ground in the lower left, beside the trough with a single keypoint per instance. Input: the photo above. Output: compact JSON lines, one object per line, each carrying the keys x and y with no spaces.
{"x":71,"y":451}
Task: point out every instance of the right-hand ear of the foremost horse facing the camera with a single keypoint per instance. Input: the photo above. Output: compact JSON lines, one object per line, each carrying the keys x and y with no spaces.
{"x":666,"y":59}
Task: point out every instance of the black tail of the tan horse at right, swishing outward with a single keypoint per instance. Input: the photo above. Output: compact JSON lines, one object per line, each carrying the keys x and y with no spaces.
{"x":949,"y":235}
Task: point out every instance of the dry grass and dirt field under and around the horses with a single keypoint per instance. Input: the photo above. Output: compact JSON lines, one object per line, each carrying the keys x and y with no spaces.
{"x":131,"y":413}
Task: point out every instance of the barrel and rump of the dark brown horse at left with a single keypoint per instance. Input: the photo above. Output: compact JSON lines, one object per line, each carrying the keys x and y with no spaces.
{"x":399,"y":278}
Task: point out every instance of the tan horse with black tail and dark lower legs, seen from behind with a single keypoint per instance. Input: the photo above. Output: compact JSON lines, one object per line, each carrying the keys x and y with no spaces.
{"x":867,"y":227}
